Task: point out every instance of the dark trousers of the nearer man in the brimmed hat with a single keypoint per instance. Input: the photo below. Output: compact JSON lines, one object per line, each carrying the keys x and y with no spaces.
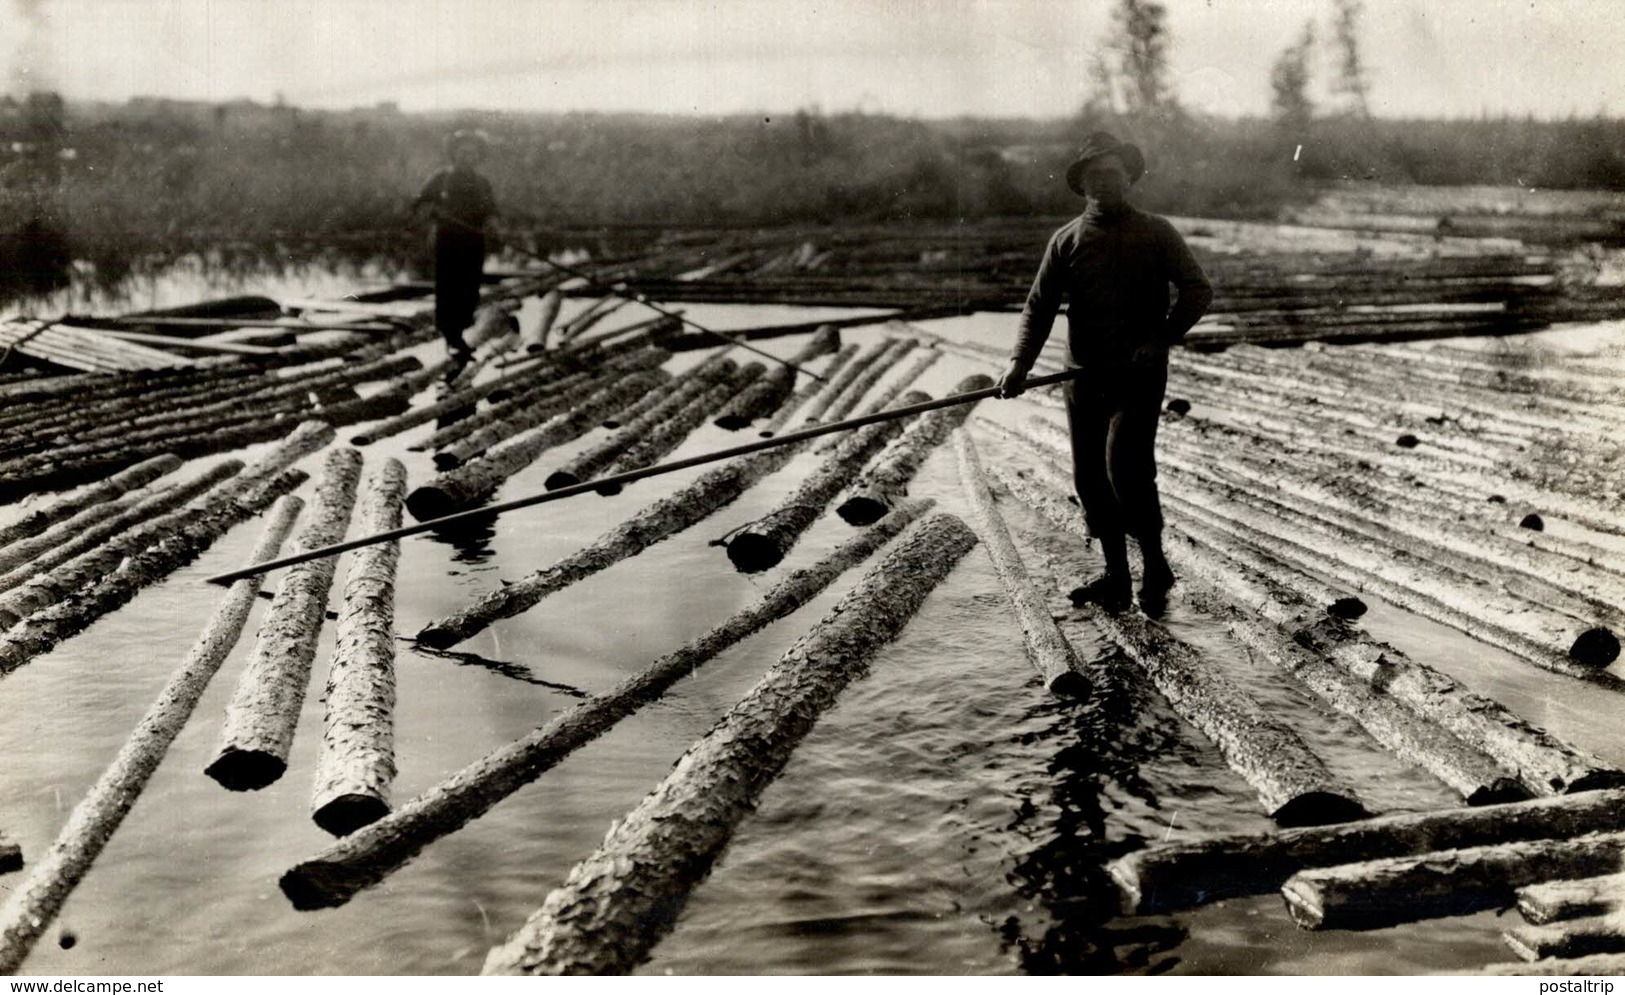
{"x":1114,"y":422}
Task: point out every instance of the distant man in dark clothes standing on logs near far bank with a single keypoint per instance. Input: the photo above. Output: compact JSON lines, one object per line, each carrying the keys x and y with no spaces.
{"x":461,"y":202}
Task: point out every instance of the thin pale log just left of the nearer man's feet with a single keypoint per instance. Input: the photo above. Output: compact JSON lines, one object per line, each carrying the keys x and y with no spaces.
{"x":1047,"y":650}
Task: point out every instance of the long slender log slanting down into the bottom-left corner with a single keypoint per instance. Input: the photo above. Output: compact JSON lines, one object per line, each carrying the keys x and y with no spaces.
{"x":33,"y":905}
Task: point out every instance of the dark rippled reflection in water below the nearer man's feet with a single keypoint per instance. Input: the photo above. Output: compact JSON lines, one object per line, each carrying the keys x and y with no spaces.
{"x":1101,"y":742}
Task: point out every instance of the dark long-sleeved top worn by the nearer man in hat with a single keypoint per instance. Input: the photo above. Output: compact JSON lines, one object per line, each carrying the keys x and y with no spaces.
{"x":1114,"y":271}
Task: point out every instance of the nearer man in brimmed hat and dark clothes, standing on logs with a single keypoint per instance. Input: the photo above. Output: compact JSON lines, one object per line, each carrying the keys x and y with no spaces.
{"x":1114,"y":266}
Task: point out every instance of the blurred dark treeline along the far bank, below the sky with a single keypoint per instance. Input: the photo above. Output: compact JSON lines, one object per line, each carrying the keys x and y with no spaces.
{"x":162,"y":178}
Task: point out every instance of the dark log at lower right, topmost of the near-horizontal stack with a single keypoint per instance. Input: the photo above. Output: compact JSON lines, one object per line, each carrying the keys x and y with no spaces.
{"x":1169,"y":877}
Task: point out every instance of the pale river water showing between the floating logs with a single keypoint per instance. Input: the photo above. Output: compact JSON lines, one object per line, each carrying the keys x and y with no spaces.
{"x":945,"y":817}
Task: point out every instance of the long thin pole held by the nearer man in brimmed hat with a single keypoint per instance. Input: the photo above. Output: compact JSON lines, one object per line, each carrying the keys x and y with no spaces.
{"x":646,"y":472}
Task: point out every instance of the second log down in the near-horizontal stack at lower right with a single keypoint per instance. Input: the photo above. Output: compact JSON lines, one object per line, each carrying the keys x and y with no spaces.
{"x":1395,"y":890}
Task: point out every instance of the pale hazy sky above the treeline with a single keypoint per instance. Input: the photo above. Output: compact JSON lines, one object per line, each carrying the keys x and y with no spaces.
{"x":909,"y":58}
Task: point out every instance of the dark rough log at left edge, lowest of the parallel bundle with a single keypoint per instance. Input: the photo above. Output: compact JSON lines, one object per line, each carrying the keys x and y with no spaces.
{"x":184,"y":536}
